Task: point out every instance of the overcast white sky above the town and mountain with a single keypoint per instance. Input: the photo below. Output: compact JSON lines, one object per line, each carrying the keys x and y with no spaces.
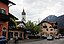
{"x":37,"y":9}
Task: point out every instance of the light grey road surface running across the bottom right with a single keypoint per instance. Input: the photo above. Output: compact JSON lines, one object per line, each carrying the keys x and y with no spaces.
{"x":56,"y":41}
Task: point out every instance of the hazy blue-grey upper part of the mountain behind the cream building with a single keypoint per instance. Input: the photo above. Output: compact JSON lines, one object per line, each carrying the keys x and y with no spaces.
{"x":53,"y":18}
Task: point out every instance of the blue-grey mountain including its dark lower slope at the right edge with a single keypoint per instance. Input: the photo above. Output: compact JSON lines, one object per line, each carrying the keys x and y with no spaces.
{"x":59,"y":20}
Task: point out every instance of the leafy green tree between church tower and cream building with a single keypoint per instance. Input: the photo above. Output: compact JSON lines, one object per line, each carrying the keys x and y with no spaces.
{"x":34,"y":29}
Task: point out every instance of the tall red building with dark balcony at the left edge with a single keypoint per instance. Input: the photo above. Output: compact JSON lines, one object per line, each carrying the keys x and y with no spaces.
{"x":4,"y":18}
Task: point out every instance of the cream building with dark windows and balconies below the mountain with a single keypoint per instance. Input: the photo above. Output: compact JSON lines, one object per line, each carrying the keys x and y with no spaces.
{"x":48,"y":28}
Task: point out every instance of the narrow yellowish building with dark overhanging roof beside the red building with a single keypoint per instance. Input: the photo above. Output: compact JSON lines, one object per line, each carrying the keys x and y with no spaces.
{"x":12,"y":26}
